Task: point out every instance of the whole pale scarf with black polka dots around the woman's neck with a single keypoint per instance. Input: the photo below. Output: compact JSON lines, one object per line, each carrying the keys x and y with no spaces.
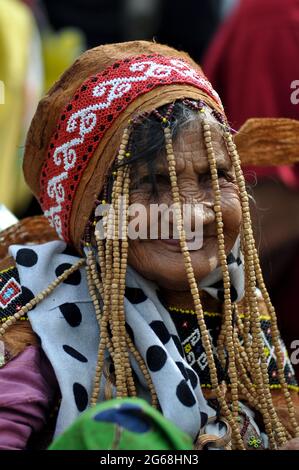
{"x":66,"y":324}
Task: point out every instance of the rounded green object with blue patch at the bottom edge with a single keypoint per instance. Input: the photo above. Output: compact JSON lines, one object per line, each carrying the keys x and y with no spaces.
{"x":123,"y":424}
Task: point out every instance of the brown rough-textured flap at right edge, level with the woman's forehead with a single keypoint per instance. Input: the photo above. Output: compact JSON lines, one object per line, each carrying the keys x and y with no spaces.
{"x":268,"y":142}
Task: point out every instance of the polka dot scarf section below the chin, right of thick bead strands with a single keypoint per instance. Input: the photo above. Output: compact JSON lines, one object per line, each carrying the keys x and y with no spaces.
{"x":156,"y":338}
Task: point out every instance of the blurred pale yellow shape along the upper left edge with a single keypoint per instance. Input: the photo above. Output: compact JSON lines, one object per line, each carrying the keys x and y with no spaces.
{"x":19,"y":94}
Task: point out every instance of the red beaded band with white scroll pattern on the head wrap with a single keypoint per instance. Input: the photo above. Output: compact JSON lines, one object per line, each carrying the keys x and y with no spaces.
{"x":94,"y":107}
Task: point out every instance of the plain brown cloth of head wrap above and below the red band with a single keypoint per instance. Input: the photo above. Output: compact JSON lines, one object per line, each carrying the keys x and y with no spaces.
{"x":45,"y":120}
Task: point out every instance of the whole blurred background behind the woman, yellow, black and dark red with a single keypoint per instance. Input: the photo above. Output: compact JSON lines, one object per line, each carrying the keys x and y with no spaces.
{"x":248,"y":49}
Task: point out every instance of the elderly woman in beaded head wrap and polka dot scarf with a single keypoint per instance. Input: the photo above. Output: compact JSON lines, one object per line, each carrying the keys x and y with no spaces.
{"x":186,"y":327}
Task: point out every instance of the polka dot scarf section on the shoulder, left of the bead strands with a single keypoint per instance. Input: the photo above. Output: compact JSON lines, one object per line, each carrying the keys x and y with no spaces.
{"x":63,"y":321}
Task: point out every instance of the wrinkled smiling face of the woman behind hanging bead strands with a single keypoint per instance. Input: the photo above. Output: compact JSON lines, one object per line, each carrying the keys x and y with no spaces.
{"x":161,"y":260}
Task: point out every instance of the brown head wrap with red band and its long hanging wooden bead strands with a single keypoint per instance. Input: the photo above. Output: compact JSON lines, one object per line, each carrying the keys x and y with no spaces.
{"x":79,"y":129}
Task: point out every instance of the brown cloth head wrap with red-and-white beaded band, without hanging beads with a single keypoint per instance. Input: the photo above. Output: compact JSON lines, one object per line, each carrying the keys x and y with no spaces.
{"x":77,"y":128}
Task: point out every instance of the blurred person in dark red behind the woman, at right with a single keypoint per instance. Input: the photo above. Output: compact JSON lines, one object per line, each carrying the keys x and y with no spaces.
{"x":253,"y":62}
